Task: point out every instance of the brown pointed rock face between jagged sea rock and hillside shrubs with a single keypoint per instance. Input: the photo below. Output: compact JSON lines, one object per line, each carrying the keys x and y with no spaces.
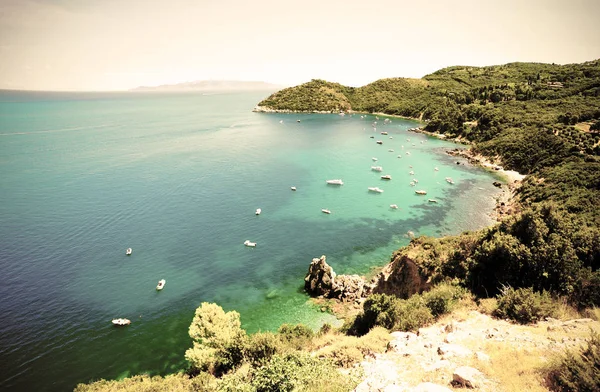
{"x":402,"y":278}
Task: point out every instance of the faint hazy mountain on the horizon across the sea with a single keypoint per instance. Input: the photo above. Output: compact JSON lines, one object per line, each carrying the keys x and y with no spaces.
{"x":211,"y":85}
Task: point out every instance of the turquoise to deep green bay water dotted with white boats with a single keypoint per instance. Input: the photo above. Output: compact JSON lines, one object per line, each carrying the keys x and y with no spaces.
{"x":177,"y":177}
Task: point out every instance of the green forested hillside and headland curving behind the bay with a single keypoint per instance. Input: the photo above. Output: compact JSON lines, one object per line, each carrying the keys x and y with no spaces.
{"x":538,"y":118}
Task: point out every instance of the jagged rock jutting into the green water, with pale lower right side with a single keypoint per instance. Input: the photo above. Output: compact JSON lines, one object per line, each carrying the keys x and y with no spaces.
{"x":322,"y":281}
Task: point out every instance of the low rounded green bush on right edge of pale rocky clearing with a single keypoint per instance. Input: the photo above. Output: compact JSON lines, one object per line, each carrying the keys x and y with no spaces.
{"x":524,"y":305}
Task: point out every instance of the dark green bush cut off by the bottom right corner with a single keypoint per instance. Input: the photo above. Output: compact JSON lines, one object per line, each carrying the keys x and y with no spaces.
{"x":577,"y":371}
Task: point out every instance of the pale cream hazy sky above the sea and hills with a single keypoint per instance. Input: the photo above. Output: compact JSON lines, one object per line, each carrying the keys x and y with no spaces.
{"x":121,"y":44}
